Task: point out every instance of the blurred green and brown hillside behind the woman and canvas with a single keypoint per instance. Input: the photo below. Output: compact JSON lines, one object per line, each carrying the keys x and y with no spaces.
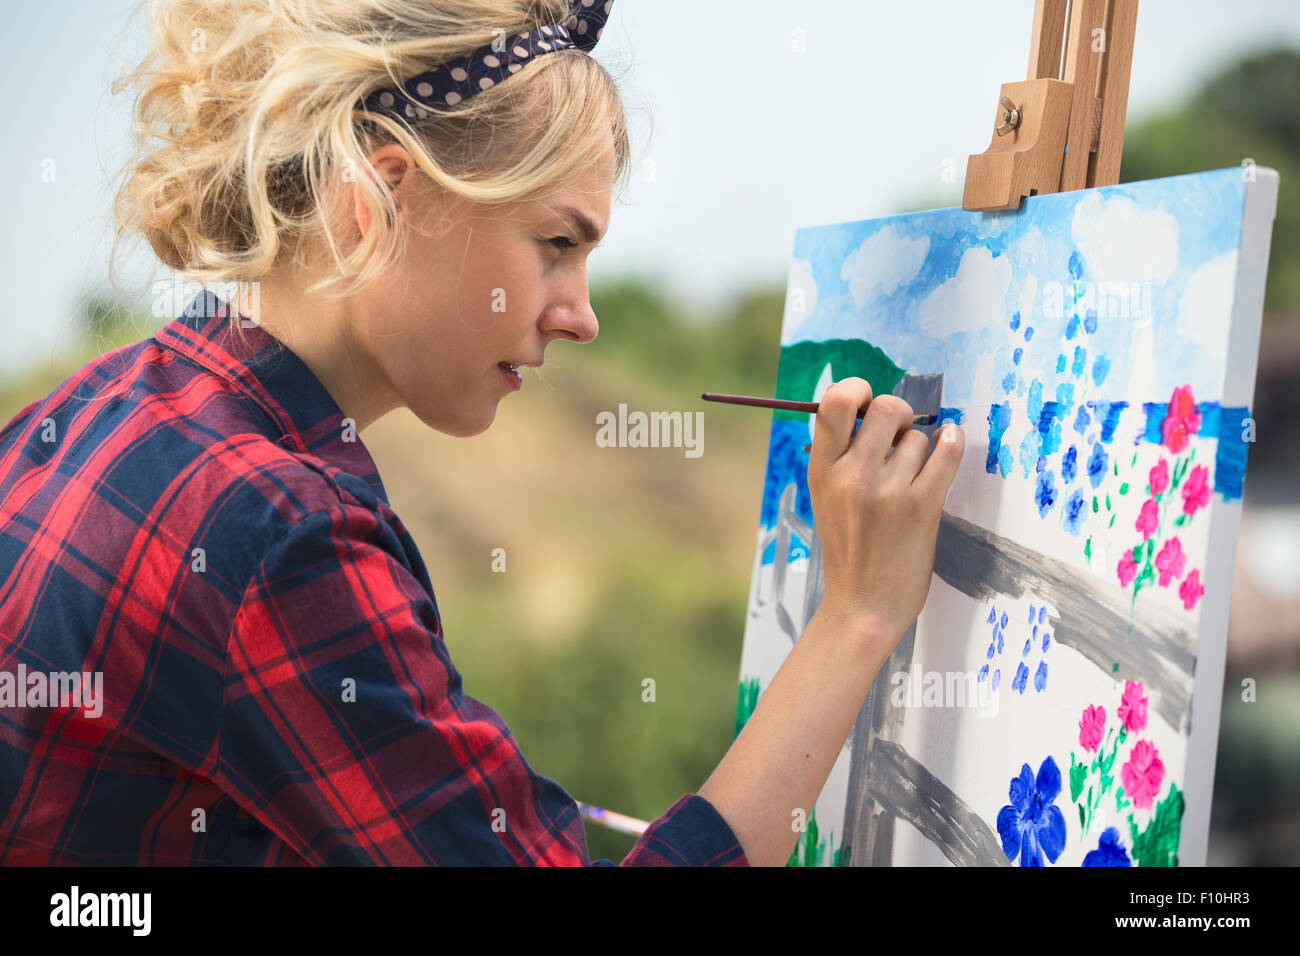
{"x":634,"y":564}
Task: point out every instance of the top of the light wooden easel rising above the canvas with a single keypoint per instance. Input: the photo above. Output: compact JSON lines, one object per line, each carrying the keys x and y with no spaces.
{"x":1064,"y":127}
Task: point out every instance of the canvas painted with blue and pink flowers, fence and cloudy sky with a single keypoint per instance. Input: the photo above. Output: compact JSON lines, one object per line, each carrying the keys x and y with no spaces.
{"x":1058,"y":700}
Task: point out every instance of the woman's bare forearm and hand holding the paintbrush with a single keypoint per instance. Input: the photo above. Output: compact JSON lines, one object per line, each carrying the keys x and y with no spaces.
{"x":878,"y":496}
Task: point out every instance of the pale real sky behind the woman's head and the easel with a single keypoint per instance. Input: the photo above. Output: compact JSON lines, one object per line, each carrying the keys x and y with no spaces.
{"x":749,"y":139}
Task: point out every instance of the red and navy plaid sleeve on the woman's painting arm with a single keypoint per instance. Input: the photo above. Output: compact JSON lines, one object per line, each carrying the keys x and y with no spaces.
{"x":348,"y":734}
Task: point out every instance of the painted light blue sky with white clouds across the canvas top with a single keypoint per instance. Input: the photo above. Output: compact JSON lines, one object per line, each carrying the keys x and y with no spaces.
{"x":939,"y":289}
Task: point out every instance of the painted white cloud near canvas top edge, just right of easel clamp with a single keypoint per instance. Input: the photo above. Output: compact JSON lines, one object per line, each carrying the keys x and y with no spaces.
{"x":1123,"y":243}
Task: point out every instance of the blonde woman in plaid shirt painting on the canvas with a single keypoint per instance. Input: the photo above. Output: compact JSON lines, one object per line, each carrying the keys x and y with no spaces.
{"x":193,"y":525}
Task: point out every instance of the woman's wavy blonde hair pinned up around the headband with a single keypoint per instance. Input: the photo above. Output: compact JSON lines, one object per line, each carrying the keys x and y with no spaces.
{"x":248,"y":126}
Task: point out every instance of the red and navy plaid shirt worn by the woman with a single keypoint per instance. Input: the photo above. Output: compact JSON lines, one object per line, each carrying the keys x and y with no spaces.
{"x":203,"y":531}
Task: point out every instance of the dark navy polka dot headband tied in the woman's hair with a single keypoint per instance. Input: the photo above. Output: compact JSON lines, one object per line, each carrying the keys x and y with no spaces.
{"x":449,"y":84}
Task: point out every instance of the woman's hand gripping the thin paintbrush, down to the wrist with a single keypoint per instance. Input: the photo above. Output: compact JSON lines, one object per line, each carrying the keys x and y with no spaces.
{"x":878,"y":513}
